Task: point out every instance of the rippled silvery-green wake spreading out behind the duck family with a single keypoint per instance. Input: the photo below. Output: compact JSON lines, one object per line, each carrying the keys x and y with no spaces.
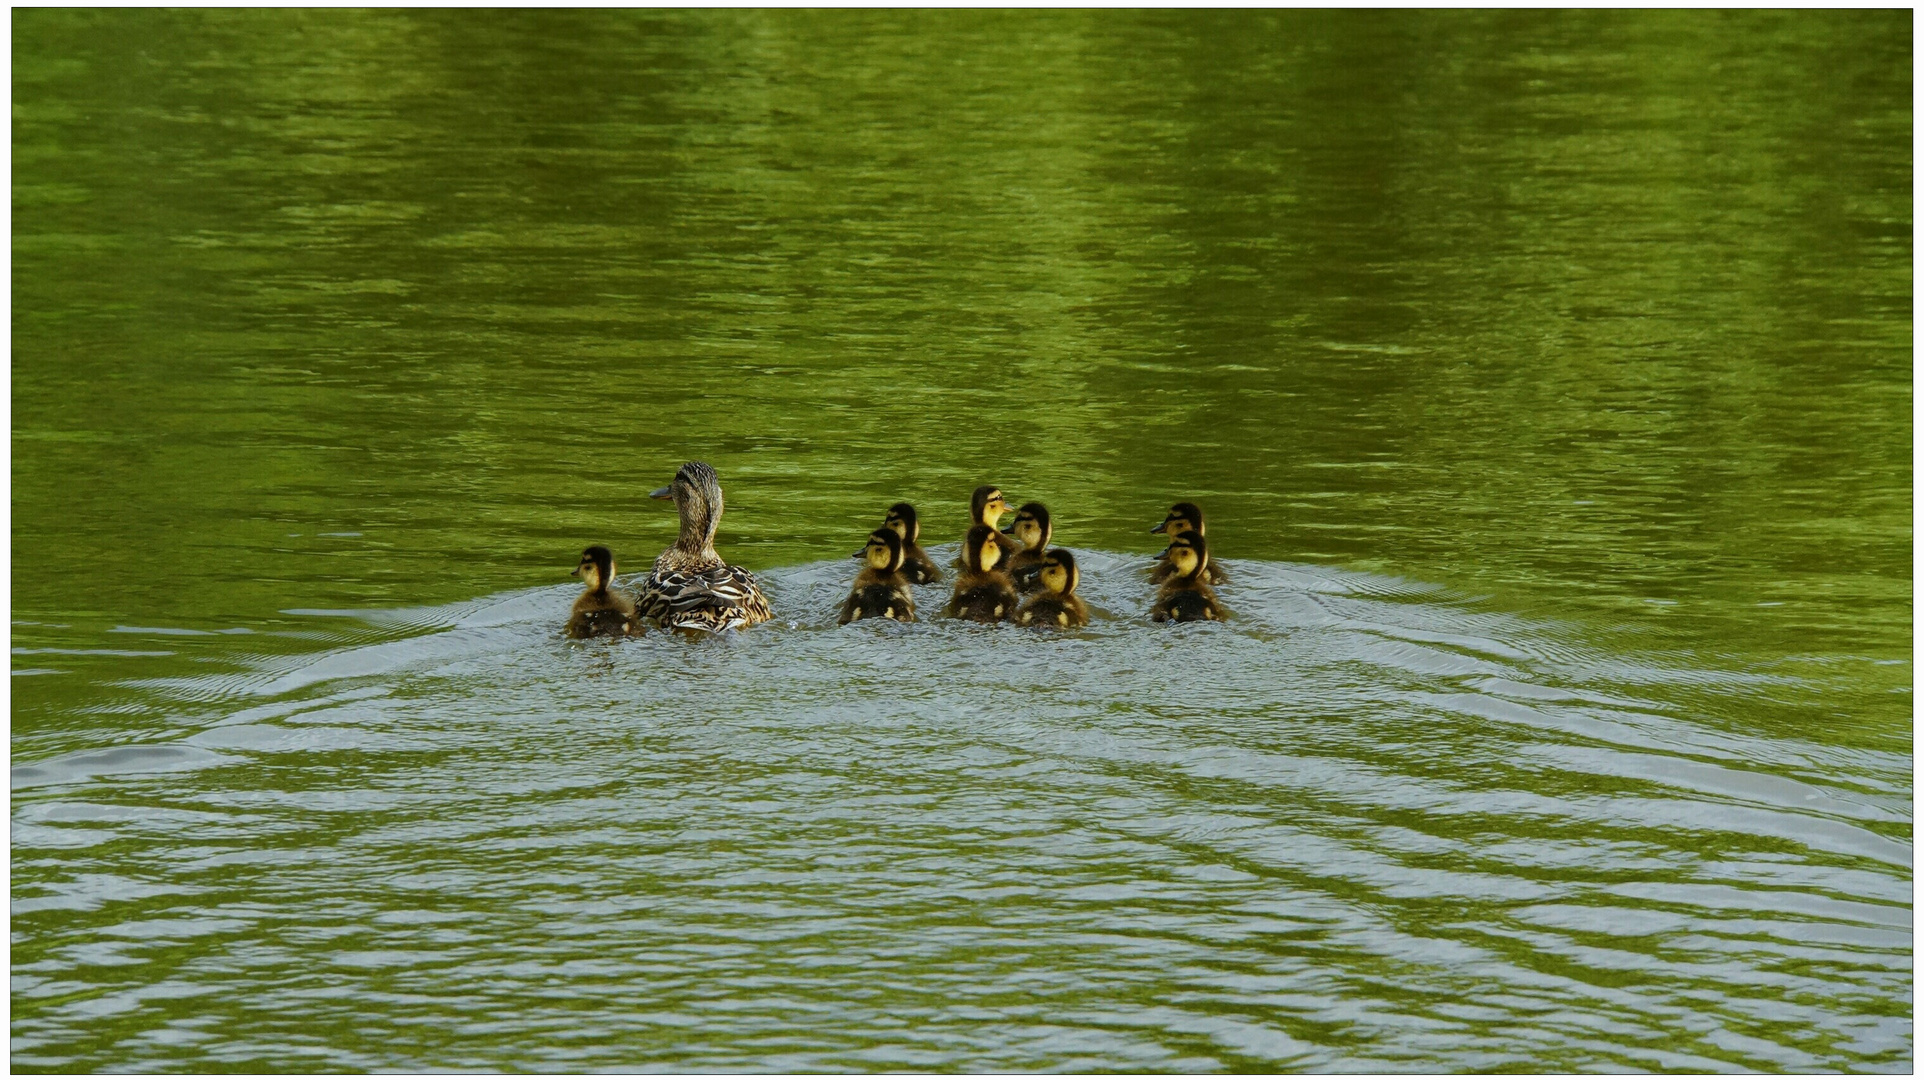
{"x":1359,"y":827}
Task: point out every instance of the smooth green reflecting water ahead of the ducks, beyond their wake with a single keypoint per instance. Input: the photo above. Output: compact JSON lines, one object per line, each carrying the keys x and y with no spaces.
{"x":1600,"y":317}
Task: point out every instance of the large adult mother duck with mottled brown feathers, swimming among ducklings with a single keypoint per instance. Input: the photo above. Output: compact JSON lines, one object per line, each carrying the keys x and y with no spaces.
{"x":690,"y":586}
